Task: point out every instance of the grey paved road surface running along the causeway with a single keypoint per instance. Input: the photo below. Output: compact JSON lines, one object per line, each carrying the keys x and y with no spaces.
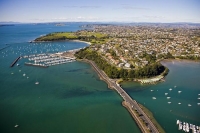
{"x":126,"y":97}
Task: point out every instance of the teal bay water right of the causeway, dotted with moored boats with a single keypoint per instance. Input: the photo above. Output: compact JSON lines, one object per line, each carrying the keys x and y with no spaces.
{"x":185,"y":75}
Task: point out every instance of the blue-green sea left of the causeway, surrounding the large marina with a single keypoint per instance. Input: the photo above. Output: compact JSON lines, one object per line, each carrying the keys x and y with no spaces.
{"x":70,"y":97}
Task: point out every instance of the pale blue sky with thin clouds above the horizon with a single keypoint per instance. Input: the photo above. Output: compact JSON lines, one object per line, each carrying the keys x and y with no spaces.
{"x":100,"y":10}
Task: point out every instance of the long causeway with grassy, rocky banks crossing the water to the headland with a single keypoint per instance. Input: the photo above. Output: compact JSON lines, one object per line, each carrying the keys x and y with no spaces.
{"x":143,"y":121}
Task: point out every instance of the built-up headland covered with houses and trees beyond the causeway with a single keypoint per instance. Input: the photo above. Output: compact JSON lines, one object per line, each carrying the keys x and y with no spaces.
{"x":134,"y":52}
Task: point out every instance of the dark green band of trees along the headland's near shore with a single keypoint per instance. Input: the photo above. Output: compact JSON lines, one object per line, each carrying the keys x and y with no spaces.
{"x":113,"y":72}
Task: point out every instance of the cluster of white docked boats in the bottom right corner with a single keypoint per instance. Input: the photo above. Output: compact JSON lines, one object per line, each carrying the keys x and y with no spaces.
{"x":186,"y":127}
